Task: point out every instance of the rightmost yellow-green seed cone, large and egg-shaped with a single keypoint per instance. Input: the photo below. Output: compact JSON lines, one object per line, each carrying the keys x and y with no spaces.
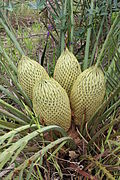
{"x":87,"y":94}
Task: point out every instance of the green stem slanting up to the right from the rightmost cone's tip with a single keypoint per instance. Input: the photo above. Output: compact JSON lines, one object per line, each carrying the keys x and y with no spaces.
{"x":117,"y":19}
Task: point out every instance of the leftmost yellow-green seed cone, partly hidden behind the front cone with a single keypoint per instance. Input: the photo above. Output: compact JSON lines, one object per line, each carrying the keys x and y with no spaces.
{"x":29,"y":72}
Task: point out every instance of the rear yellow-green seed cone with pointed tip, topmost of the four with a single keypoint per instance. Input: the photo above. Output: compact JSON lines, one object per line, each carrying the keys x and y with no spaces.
{"x":67,"y":70}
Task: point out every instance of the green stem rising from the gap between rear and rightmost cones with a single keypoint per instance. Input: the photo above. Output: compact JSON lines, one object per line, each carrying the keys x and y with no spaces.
{"x":85,"y":65}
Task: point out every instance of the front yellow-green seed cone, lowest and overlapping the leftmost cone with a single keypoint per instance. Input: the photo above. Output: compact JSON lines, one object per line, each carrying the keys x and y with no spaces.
{"x":51,"y":103}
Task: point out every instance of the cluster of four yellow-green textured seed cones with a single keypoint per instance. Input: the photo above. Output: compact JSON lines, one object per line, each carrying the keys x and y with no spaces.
{"x":70,"y":89}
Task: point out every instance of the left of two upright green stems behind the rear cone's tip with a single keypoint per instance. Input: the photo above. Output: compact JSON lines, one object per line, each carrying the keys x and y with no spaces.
{"x":64,"y":10}
